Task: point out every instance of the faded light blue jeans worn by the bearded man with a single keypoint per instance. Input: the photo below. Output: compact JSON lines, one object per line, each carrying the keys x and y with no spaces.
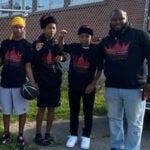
{"x":128,"y":101}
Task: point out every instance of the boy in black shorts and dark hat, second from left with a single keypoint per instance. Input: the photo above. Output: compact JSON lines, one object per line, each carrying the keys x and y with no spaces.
{"x":48,"y":77}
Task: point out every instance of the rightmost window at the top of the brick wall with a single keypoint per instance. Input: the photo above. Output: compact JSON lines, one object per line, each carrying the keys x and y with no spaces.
{"x":79,"y":2}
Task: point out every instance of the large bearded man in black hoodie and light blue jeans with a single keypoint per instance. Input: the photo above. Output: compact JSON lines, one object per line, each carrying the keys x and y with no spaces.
{"x":124,"y":51}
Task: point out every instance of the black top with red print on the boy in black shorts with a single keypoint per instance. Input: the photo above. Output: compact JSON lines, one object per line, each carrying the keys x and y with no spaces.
{"x":45,"y":68}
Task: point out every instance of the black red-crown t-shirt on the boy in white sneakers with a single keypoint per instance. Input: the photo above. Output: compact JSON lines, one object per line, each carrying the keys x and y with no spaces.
{"x":83,"y":65}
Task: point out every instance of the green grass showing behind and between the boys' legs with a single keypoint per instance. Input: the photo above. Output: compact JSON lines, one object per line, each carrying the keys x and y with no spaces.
{"x":61,"y":112}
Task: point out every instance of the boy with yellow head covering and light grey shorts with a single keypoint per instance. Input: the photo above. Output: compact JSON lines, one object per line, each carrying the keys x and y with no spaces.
{"x":15,"y":56}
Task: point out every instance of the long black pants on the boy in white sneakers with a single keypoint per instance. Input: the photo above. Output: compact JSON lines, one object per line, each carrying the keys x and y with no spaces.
{"x":74,"y":103}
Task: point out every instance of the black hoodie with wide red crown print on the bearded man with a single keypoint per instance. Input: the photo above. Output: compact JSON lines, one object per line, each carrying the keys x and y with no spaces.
{"x":124,"y":53}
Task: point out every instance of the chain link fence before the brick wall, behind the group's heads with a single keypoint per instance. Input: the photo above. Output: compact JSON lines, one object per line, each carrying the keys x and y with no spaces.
{"x":70,"y":15}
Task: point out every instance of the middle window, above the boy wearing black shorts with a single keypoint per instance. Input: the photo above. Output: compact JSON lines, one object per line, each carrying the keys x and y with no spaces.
{"x":49,"y":4}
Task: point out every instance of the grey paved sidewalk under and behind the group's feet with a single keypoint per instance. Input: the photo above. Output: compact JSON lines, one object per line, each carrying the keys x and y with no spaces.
{"x":99,"y":137}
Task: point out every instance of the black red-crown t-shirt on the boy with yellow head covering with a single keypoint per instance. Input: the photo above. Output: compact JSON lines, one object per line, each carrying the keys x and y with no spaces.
{"x":15,"y":54}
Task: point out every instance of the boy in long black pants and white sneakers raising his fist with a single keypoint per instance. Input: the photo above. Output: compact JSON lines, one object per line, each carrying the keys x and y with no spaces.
{"x":83,"y":75}
